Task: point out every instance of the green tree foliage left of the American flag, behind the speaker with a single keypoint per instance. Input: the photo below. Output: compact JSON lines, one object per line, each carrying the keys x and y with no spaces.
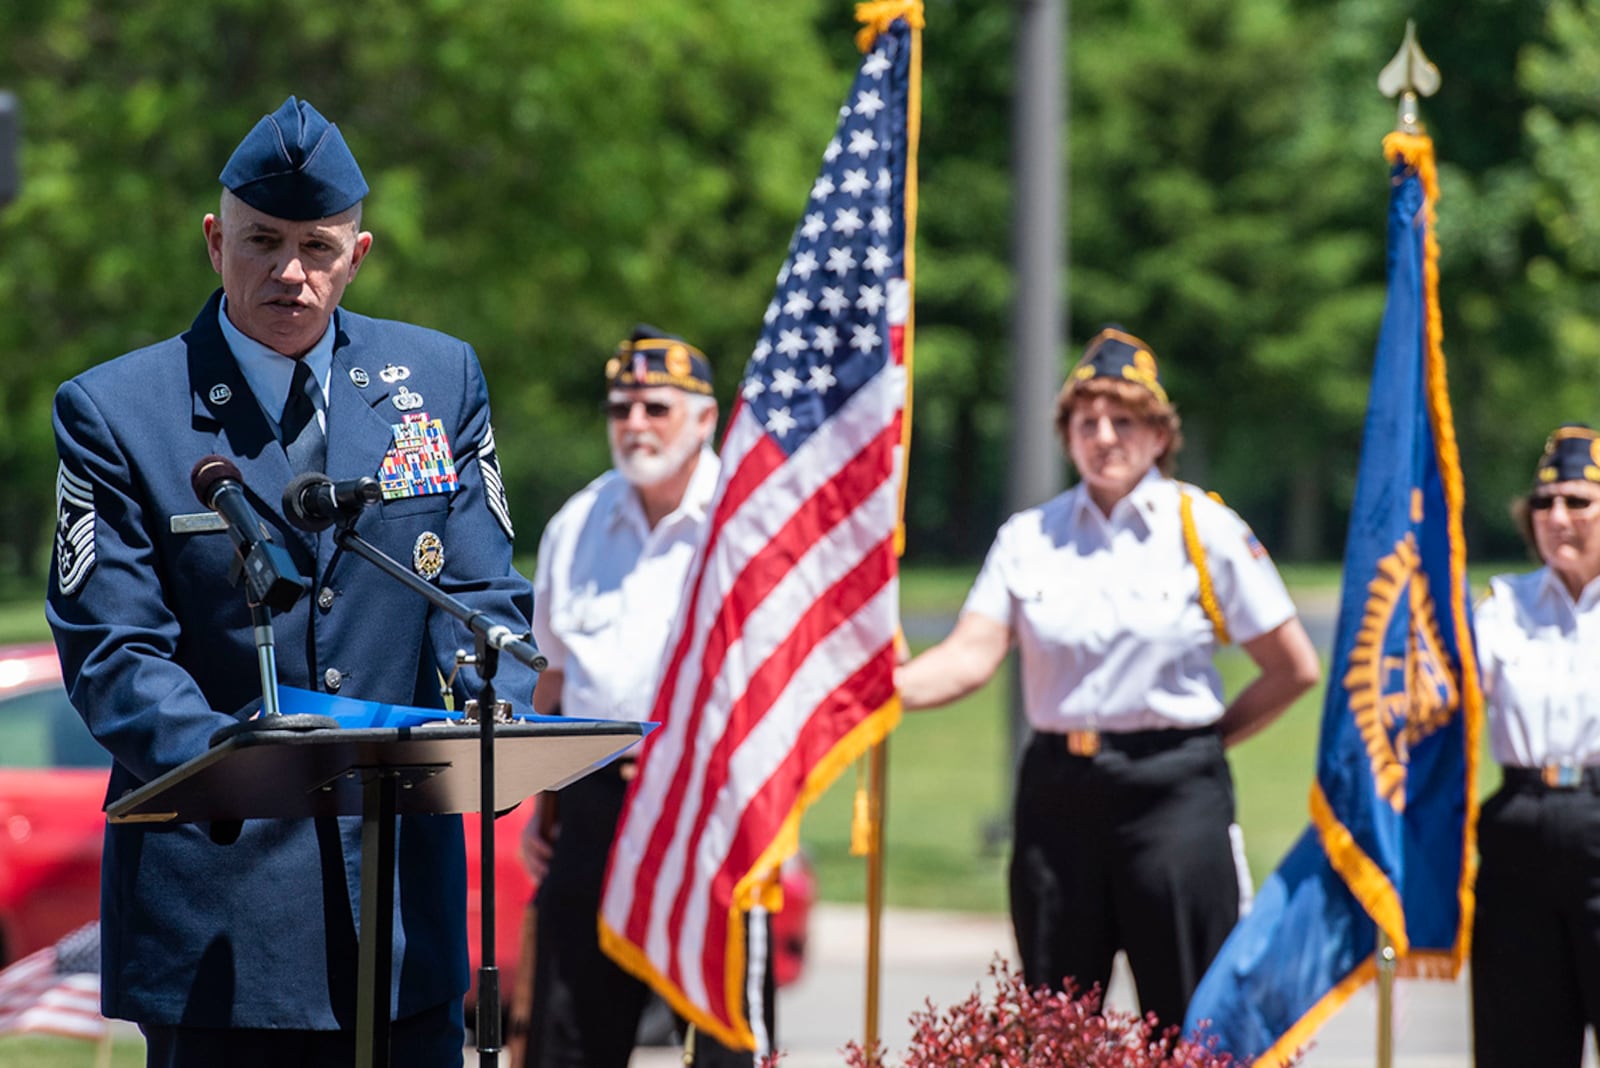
{"x":543,"y":177}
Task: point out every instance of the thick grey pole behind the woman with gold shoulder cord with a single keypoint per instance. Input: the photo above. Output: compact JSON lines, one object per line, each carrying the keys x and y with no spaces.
{"x":1039,"y":237}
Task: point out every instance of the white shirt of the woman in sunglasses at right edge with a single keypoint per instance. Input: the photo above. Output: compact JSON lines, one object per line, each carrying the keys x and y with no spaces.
{"x":1540,"y":661}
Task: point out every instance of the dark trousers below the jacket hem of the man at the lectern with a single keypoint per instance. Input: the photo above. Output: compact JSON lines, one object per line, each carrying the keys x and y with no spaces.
{"x":428,"y":1040}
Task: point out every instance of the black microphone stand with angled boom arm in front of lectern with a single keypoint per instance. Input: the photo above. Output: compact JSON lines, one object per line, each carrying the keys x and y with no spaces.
{"x":490,"y":640}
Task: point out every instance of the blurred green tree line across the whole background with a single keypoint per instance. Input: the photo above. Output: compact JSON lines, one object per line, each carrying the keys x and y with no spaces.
{"x":545,"y":175}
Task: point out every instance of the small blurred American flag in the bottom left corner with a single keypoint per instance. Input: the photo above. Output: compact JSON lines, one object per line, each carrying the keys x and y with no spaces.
{"x":55,"y":990}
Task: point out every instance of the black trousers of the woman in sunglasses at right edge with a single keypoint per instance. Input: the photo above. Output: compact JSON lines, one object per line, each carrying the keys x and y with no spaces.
{"x":1537,"y":931}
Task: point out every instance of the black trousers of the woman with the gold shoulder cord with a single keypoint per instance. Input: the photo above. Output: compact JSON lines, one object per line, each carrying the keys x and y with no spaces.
{"x":1129,"y":850}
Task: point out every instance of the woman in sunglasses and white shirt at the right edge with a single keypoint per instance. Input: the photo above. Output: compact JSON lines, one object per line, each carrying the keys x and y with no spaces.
{"x":1537,"y":934}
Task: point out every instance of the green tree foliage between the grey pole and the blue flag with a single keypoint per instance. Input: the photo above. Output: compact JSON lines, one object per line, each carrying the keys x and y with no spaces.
{"x":1228,"y":207}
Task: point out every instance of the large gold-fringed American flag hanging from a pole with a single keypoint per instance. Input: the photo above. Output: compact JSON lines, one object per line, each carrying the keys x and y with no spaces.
{"x":780,"y":672}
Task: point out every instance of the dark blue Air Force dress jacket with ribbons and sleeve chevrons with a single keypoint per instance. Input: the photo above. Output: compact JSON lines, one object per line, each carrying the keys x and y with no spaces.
{"x":158,"y":652}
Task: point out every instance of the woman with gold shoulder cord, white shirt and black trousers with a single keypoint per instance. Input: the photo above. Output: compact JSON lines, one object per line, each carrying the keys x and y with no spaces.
{"x":1118,"y":594}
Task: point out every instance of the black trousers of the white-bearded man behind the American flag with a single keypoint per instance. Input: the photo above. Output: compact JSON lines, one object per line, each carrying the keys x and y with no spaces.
{"x":586,"y":1010}
